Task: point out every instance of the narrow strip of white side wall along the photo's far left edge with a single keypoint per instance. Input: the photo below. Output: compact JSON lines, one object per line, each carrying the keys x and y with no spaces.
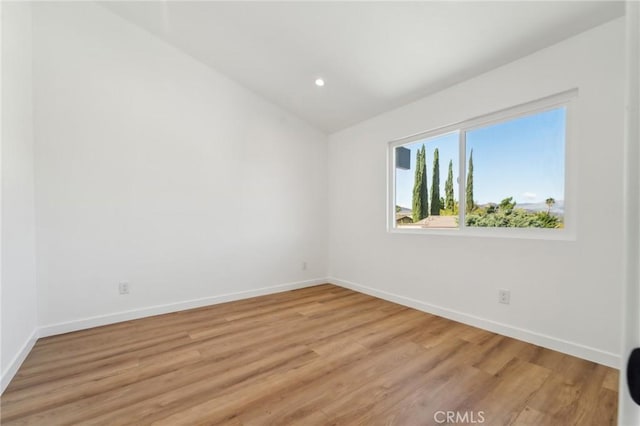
{"x":19,"y":301}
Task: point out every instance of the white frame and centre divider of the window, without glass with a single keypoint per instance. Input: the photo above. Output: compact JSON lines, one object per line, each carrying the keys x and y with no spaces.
{"x":565,"y":99}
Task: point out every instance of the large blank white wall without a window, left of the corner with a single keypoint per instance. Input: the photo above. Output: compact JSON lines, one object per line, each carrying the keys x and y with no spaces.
{"x":152,"y":168}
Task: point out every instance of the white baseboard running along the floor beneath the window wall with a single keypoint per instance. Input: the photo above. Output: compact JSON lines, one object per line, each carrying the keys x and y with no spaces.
{"x":575,"y":349}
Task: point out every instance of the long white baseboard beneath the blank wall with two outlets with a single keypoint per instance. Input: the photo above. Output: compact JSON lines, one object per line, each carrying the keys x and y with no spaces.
{"x":100,"y":320}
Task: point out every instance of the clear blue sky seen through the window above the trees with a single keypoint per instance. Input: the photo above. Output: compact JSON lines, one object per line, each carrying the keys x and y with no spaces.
{"x":521,"y":158}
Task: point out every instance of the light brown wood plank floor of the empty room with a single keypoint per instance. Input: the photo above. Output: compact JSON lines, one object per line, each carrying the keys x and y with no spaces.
{"x":317,"y":356}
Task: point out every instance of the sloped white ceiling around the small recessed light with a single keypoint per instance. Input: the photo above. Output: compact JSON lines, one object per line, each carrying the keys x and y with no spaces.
{"x":374,"y":56}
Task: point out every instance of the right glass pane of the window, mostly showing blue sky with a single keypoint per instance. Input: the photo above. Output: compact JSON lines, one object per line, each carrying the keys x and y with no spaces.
{"x":515,"y":172}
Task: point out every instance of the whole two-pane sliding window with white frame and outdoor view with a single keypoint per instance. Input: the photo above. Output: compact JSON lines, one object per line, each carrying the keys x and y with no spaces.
{"x":503,"y":170}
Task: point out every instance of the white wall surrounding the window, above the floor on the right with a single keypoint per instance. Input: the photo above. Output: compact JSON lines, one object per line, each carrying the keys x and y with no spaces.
{"x":564,"y":294}
